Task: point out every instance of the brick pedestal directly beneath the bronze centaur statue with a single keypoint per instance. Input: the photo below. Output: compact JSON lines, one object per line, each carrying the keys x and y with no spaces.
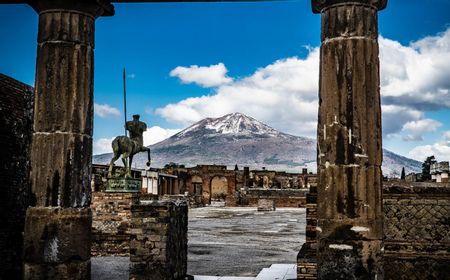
{"x":111,"y":217}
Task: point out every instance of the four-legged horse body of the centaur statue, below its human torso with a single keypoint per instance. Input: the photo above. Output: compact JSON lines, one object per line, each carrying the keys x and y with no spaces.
{"x":127,"y":148}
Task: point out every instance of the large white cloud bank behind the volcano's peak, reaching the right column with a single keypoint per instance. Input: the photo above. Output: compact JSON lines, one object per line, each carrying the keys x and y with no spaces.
{"x":283,"y":94}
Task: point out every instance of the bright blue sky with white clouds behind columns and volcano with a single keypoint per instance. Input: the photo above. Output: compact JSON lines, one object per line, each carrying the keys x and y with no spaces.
{"x":257,"y":58}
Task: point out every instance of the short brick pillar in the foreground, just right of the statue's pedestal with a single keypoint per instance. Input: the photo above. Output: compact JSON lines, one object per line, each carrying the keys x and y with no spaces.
{"x":158,"y":246}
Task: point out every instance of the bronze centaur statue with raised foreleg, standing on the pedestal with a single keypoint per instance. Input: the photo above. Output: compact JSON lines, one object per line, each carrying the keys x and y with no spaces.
{"x":129,"y":146}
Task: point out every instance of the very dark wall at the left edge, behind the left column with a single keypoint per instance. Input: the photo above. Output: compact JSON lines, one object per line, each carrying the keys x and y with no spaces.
{"x":16,"y":120}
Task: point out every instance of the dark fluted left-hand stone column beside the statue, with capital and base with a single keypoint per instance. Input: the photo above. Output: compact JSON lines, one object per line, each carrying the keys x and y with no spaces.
{"x":58,"y":228}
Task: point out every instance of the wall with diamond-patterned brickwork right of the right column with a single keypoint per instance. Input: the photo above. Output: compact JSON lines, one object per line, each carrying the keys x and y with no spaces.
{"x":417,"y":232}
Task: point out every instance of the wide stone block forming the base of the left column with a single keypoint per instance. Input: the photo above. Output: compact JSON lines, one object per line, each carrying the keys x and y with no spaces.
{"x":57,"y":243}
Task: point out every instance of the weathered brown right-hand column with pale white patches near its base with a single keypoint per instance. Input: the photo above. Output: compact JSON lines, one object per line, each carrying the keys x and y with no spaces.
{"x":349,"y":202}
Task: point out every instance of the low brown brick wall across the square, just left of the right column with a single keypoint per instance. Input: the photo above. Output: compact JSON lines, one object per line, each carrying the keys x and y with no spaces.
{"x":281,"y":197}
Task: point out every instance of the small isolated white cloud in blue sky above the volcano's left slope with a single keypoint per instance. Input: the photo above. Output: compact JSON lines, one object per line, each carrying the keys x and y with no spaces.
{"x":205,"y":76}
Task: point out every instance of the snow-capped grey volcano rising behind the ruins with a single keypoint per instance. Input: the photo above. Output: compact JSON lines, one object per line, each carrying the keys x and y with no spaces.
{"x":239,"y":139}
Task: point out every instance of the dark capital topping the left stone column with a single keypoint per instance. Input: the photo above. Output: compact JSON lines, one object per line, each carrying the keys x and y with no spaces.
{"x":94,"y":8}
